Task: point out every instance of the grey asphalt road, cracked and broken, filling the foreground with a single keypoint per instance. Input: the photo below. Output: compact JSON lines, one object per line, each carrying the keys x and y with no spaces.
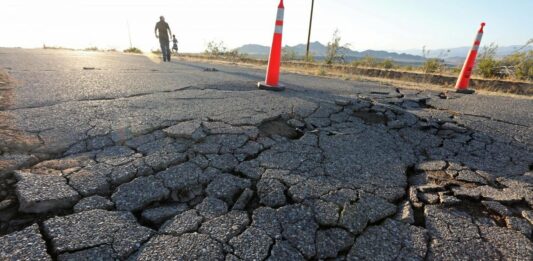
{"x":136,"y":160}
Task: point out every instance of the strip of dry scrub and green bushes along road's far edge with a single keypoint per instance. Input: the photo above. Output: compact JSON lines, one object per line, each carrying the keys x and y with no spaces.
{"x":517,"y":66}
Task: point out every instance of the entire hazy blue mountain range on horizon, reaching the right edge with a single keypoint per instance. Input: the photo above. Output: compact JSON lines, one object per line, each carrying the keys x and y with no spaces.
{"x":453,"y":56}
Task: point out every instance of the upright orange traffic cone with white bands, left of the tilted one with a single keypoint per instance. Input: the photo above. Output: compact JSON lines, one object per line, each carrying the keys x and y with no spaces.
{"x":274,"y":62}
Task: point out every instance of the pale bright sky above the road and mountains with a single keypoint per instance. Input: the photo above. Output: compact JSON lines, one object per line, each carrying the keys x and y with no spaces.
{"x":364,"y":24}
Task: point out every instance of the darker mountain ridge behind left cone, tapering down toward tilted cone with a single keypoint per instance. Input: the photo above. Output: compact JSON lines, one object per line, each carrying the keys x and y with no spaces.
{"x":319,"y":52}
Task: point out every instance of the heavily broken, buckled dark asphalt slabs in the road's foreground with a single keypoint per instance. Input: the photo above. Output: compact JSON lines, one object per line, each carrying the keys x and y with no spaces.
{"x":330,"y":184}
